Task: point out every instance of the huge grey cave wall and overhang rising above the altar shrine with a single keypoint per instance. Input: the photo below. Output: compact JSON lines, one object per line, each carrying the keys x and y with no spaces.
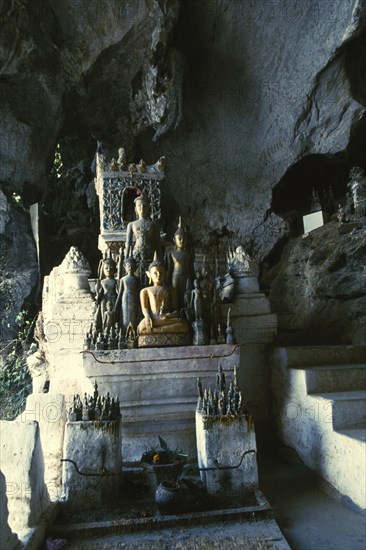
{"x":232,"y":92}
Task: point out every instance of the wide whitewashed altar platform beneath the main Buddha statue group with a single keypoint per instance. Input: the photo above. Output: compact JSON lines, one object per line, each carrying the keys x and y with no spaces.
{"x":157,"y":389}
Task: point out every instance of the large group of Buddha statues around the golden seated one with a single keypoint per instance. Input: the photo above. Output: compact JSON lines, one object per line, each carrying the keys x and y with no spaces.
{"x":146,"y":298}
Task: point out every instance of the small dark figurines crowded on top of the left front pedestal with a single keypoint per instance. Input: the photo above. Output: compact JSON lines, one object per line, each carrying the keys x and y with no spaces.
{"x":94,"y":407}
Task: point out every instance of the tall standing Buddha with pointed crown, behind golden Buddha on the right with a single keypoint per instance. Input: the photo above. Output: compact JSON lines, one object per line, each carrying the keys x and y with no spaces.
{"x":180,"y":264}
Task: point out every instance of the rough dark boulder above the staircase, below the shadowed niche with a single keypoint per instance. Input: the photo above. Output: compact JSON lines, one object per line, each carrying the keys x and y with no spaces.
{"x":318,"y":288}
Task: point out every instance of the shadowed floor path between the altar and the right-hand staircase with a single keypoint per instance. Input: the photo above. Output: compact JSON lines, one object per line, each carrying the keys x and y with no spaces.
{"x":310,"y":513}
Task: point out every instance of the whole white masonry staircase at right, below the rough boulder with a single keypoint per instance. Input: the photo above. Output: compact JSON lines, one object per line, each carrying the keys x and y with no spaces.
{"x":320,"y":410}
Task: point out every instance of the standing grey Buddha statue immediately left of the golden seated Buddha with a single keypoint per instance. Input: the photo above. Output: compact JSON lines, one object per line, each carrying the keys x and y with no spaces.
{"x":128,"y":300}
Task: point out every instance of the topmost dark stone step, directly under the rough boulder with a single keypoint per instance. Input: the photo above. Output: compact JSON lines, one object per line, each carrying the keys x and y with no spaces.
{"x":307,"y":356}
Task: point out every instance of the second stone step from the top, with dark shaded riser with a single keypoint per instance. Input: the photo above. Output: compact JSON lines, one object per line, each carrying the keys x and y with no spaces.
{"x":333,"y":378}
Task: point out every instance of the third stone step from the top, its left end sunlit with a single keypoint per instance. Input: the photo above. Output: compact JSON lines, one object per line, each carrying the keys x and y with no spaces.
{"x":347,"y":408}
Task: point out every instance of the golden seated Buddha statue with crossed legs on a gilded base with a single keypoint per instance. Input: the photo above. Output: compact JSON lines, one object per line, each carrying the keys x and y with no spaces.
{"x":159,"y":304}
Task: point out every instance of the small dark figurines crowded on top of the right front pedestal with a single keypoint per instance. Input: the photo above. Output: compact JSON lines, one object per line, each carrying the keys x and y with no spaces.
{"x":224,"y":400}
